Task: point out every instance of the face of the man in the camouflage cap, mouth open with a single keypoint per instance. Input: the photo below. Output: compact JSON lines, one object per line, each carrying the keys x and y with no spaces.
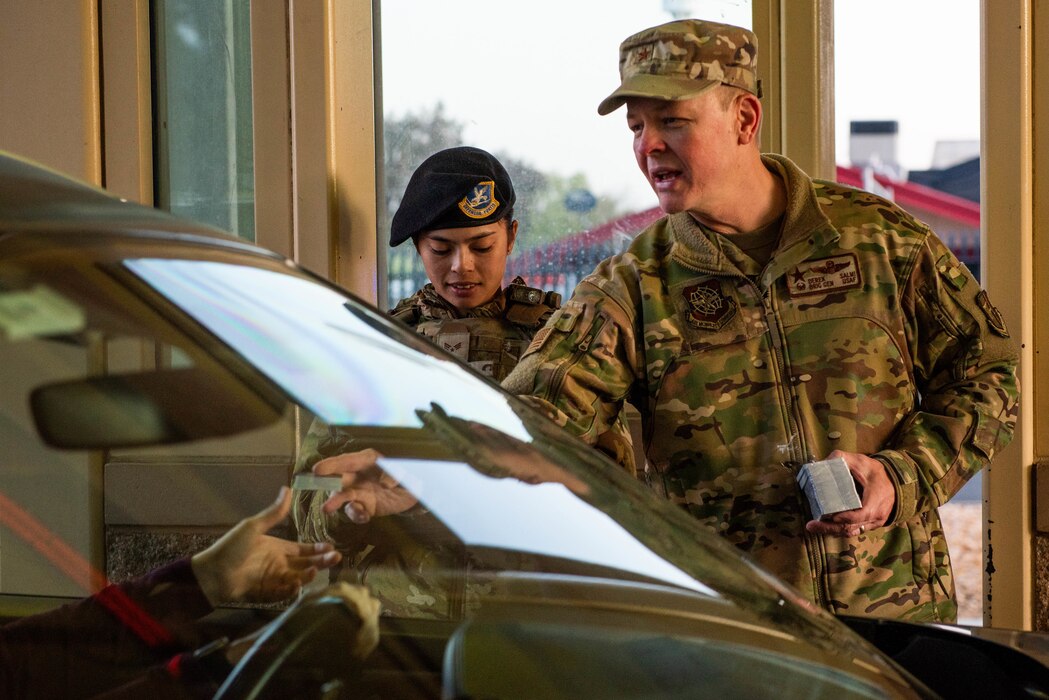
{"x":687,"y":149}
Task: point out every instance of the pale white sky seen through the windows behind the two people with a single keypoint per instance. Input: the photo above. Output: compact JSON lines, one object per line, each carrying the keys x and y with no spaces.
{"x":526,"y":76}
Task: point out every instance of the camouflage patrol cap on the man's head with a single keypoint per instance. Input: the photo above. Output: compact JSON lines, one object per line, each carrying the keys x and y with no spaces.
{"x":683,"y":59}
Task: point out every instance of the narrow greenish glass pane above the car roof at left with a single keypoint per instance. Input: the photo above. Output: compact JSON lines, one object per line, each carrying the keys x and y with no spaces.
{"x":204,"y":113}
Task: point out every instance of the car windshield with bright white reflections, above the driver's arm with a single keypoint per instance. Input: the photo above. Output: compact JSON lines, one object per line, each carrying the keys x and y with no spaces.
{"x":173,"y":394}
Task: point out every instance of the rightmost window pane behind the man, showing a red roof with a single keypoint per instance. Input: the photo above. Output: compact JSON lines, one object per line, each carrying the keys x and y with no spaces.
{"x":916,"y":140}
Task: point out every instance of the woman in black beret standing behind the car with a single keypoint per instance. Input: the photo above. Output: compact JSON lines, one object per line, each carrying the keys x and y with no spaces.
{"x":459,"y":211}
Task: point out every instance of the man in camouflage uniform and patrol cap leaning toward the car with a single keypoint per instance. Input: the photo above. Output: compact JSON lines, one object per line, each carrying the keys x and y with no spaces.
{"x":769,"y":321}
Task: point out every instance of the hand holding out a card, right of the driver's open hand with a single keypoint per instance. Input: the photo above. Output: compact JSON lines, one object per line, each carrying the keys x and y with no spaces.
{"x":368,"y":492}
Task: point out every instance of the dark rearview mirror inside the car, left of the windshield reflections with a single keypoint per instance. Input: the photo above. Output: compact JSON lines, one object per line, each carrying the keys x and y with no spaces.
{"x":157,"y":408}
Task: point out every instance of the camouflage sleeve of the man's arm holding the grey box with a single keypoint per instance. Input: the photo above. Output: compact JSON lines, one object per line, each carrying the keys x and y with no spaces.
{"x":966,"y":370}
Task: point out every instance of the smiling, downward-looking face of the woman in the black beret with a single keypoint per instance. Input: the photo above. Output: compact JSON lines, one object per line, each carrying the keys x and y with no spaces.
{"x":466,"y":266}
